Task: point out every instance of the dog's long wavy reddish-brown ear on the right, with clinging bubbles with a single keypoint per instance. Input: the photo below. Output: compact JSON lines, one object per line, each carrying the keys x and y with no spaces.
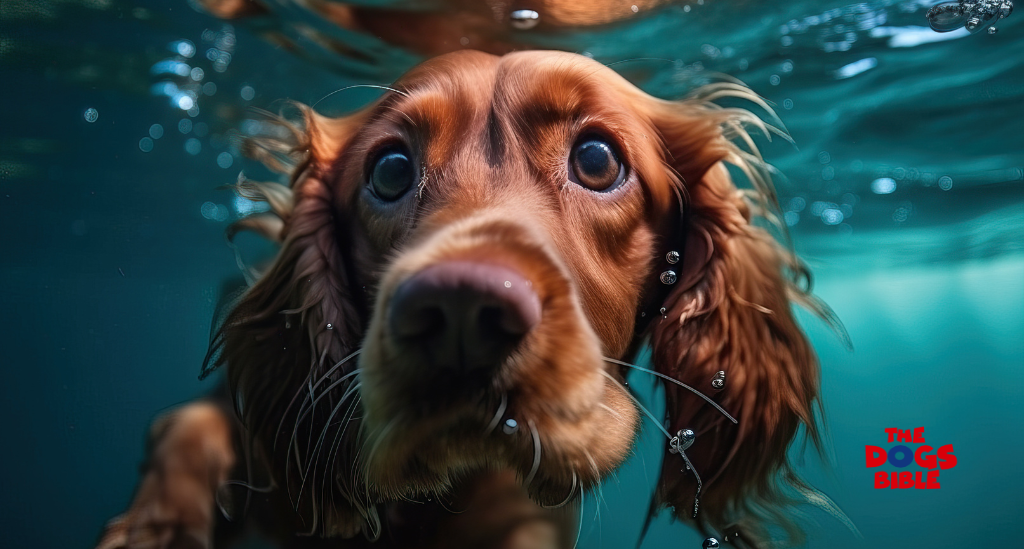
{"x":729,"y":317}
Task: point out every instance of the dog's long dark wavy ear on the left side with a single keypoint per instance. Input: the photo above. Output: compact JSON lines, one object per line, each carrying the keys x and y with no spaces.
{"x":284,"y":335}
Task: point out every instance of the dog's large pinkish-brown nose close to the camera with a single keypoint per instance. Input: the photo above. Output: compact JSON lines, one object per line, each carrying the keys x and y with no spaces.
{"x":464,"y":316}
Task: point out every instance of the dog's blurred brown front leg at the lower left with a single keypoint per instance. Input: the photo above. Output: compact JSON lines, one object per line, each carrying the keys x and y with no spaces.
{"x":191,"y":455}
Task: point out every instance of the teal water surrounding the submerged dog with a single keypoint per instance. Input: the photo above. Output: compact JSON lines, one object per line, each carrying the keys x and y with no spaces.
{"x":905,"y":192}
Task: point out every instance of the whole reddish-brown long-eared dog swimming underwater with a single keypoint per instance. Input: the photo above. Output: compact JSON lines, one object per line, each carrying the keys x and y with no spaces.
{"x":467,"y":269}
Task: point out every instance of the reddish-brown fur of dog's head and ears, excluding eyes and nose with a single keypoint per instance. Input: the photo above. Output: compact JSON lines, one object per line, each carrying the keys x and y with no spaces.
{"x":493,"y":136}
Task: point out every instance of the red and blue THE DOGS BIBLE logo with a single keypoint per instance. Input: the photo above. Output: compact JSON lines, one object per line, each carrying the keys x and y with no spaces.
{"x":902,"y":456}
